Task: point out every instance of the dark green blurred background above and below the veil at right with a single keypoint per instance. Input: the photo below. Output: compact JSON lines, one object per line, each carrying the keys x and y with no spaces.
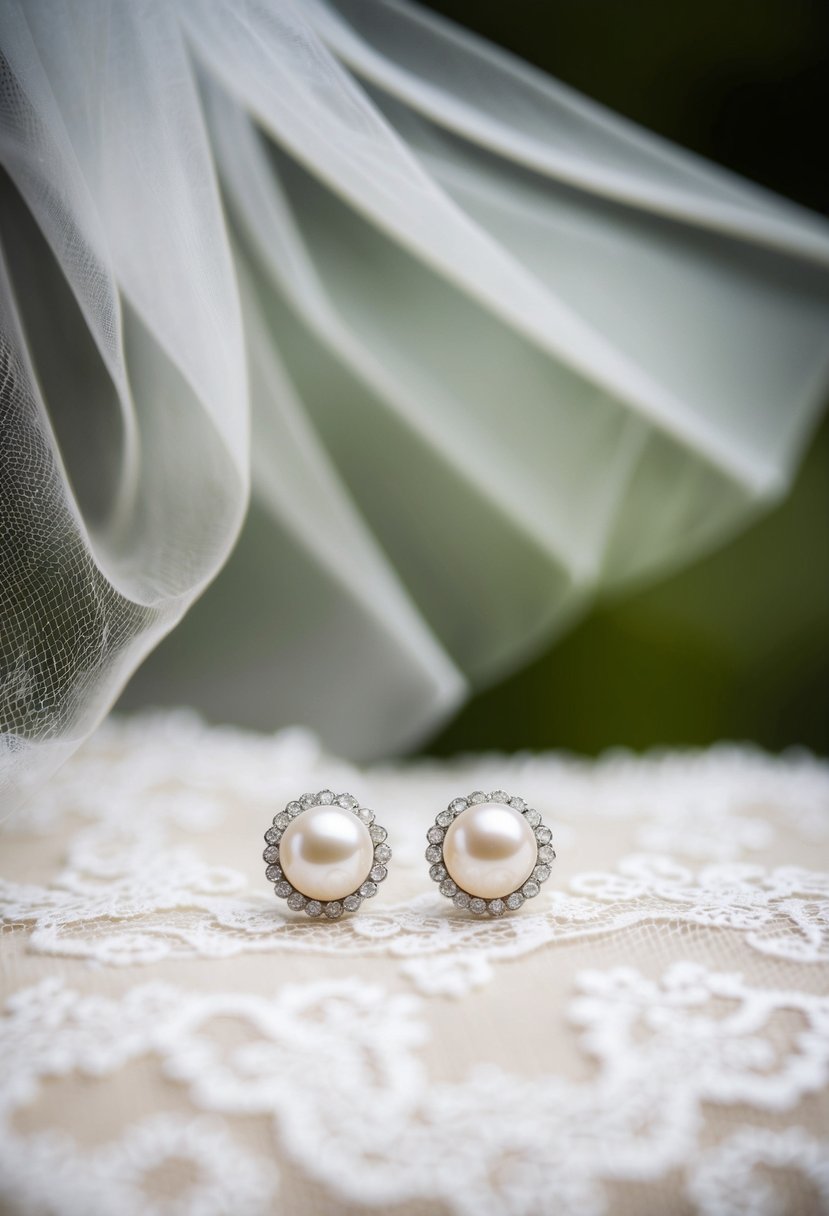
{"x":737,"y":646}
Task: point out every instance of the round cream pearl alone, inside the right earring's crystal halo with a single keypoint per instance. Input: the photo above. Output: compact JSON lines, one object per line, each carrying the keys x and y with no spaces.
{"x":490,"y":851}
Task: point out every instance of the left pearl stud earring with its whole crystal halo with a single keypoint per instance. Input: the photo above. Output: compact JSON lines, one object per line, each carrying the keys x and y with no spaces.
{"x":326,"y":854}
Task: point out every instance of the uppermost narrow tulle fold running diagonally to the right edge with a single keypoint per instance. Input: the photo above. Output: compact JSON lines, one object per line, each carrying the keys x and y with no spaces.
{"x":527,"y":119}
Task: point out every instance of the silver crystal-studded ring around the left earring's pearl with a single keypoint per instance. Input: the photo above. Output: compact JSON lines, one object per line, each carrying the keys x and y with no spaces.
{"x":330,"y":910}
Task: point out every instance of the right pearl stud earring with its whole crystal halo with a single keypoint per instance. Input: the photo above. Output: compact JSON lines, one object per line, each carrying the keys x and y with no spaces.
{"x":490,"y":853}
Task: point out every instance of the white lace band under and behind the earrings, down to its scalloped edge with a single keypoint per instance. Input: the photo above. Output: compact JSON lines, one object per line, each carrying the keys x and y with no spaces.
{"x":129,"y":893}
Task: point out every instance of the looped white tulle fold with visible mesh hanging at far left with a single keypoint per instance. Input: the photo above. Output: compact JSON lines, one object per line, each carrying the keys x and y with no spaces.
{"x":104,"y":140}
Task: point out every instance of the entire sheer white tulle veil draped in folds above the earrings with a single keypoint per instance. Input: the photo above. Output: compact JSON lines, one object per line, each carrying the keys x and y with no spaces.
{"x":498,"y":348}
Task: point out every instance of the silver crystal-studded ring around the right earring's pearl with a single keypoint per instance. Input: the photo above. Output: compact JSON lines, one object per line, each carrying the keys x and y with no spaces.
{"x":466,"y":900}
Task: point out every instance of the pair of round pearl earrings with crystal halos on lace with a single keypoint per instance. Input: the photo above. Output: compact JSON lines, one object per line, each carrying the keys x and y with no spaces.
{"x":326,"y":854}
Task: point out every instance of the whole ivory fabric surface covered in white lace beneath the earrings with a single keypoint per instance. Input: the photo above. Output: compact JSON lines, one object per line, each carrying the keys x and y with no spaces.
{"x":650,"y":1035}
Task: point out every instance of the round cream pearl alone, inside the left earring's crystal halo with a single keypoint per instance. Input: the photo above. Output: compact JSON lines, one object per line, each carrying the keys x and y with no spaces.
{"x":326,"y":853}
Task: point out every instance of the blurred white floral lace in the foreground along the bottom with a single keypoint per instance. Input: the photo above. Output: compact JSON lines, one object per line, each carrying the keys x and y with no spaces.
{"x":336,"y":1069}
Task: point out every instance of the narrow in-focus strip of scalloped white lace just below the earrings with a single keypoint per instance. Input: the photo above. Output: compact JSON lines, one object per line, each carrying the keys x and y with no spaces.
{"x":142,"y":904}
